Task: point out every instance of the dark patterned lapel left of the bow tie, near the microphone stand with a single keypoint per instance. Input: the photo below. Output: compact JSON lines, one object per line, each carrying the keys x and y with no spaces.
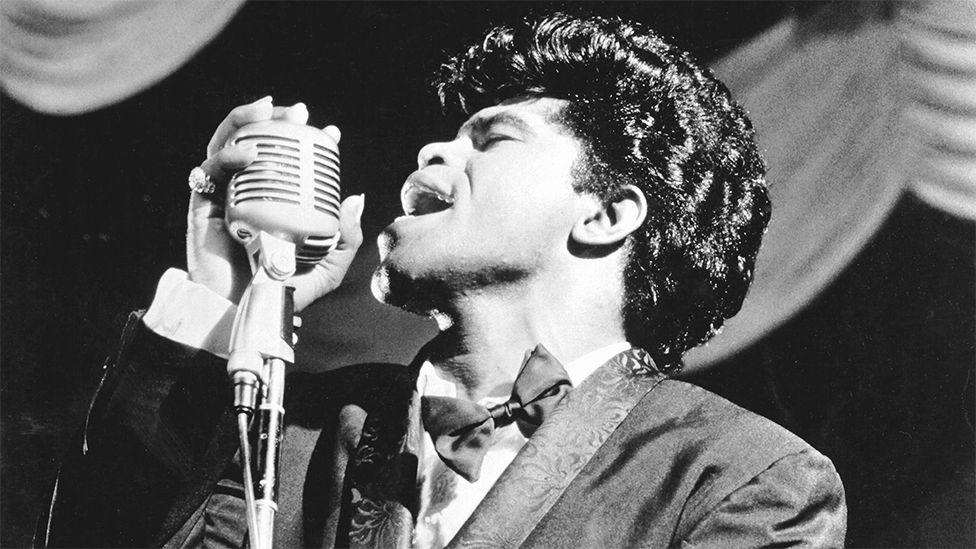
{"x":382,"y":477}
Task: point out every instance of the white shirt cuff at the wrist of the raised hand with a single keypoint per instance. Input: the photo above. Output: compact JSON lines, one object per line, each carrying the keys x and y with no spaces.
{"x":191,"y":314}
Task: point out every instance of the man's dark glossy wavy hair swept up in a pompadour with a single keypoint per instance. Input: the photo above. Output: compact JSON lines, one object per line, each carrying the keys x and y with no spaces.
{"x":647,"y":115}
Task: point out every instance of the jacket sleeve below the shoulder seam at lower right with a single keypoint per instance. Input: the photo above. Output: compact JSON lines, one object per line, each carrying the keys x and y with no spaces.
{"x":797,"y":502}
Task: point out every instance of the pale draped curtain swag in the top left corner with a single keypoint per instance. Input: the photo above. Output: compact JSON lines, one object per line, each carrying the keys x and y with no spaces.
{"x":74,"y":56}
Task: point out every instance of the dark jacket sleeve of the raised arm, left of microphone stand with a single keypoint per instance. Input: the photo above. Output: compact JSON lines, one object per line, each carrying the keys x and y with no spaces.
{"x":159,"y":432}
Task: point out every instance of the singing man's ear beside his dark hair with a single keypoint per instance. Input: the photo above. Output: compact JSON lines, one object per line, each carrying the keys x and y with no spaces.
{"x":611,"y":223}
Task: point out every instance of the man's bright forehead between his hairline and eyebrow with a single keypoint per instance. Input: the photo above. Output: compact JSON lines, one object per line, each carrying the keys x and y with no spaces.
{"x":530,"y":115}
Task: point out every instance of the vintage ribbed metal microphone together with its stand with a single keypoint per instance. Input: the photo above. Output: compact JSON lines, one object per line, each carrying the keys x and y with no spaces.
{"x":284,"y":209}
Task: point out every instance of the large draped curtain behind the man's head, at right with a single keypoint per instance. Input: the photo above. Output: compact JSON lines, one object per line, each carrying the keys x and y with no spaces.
{"x":850,"y":109}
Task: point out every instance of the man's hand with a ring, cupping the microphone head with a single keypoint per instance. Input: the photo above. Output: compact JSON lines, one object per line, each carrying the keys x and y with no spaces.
{"x":214,"y":257}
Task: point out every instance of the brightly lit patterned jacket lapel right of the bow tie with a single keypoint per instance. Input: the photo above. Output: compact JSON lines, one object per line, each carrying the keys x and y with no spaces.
{"x":558,"y":450}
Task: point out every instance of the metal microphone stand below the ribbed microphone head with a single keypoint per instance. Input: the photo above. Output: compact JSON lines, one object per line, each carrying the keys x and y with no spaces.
{"x":262,"y":342}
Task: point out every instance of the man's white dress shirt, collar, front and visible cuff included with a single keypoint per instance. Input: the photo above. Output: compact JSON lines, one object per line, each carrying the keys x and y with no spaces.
{"x":191,"y":314}
